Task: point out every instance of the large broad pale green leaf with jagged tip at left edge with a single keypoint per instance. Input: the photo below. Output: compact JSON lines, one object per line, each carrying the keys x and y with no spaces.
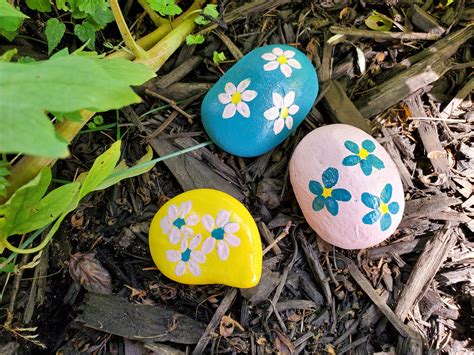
{"x":61,"y":84}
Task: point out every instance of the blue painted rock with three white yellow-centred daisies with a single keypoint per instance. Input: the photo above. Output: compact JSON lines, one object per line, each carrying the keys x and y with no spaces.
{"x":260,"y":101}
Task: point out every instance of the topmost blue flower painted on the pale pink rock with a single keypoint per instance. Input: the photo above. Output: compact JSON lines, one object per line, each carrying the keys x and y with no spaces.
{"x":363,"y":157}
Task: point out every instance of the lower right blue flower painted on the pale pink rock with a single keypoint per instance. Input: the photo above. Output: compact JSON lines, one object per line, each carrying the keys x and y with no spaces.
{"x":381,"y":208}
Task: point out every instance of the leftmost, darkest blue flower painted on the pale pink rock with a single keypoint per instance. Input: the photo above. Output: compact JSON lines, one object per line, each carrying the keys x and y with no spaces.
{"x":326,"y":195}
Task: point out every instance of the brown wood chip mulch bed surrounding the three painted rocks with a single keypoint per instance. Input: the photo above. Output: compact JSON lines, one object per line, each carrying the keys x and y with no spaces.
{"x":412,"y":294}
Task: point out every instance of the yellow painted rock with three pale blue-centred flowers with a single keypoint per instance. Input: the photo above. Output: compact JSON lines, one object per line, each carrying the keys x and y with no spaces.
{"x":206,"y":236}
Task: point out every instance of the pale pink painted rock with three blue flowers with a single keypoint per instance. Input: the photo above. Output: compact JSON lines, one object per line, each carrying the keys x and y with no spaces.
{"x":347,"y":186}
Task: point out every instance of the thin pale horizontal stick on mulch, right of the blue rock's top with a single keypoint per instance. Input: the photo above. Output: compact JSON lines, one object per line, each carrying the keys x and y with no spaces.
{"x":406,"y":36}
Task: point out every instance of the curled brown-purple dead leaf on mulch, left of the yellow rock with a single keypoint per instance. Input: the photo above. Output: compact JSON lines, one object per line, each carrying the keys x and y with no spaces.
{"x":89,"y":272}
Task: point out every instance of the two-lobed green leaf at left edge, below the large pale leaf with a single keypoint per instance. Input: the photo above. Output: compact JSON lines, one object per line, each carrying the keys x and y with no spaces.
{"x":28,"y":210}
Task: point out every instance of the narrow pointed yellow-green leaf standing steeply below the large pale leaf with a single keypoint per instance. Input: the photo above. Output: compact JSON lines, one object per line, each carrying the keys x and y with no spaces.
{"x":103,"y":166}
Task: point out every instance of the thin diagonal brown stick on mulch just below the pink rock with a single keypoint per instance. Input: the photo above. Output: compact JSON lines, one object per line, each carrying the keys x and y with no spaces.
{"x":378,"y":301}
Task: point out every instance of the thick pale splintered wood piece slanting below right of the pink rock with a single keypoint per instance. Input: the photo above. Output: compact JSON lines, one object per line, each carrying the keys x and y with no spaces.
{"x":425,"y":269}
